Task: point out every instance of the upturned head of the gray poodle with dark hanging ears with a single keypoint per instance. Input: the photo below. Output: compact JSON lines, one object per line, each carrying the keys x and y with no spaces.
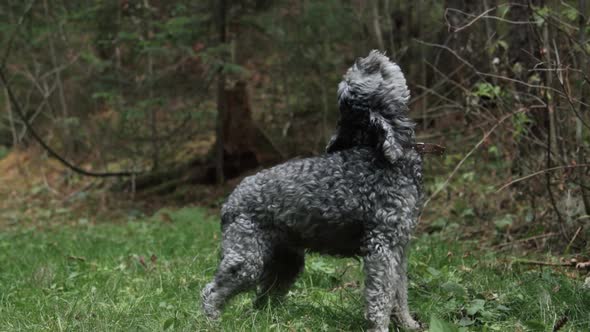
{"x":373,"y":98}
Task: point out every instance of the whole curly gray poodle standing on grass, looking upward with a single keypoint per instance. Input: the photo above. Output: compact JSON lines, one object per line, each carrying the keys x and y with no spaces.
{"x":362,"y":198}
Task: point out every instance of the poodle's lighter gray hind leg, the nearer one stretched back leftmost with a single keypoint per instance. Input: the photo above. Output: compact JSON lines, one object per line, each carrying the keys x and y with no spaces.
{"x":244,"y":250}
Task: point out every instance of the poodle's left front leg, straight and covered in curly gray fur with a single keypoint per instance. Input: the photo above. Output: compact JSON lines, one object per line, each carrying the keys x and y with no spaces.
{"x":379,"y":280}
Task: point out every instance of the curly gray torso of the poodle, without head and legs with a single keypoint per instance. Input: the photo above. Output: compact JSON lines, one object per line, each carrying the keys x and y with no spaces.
{"x":326,"y":203}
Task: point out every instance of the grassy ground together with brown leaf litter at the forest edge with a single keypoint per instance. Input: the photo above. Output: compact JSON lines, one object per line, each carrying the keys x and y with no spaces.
{"x":73,"y":258}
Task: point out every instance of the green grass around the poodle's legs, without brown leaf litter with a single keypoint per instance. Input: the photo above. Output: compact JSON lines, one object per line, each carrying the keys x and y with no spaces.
{"x":146,"y":274}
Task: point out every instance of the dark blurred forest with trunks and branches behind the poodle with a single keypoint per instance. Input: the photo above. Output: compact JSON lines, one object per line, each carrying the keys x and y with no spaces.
{"x":150,"y":86}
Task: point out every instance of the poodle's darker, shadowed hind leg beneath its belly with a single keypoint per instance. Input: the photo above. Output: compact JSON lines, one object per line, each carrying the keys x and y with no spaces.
{"x":280,"y":273}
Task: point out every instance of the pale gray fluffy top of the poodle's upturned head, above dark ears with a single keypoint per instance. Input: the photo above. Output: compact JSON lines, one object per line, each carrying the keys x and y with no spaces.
{"x":376,"y":82}
